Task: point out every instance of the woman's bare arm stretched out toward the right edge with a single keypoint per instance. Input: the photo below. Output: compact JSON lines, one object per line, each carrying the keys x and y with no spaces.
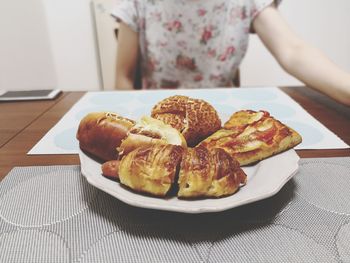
{"x":299,"y":59}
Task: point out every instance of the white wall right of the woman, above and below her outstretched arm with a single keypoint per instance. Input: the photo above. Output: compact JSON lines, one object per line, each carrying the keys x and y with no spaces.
{"x":323,"y":23}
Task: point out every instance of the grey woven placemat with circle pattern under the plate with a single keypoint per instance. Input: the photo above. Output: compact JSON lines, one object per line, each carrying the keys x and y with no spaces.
{"x":51,"y":214}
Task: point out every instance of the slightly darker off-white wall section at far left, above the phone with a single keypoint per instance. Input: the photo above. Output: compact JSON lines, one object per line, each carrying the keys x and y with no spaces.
{"x":25,"y":54}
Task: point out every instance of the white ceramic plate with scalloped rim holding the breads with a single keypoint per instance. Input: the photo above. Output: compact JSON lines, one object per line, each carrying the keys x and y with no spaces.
{"x":264,"y":180}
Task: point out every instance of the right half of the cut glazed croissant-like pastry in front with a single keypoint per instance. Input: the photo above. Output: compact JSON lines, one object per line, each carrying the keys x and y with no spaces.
{"x":207,"y":173}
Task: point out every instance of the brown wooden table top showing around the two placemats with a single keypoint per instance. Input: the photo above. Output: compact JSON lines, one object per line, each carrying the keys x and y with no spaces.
{"x":23,"y":124}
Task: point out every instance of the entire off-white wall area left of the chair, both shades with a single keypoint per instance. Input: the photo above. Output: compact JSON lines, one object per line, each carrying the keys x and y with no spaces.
{"x":48,"y":43}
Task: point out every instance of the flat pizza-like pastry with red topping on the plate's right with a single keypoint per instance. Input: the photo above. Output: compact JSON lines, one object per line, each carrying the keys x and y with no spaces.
{"x":252,"y":136}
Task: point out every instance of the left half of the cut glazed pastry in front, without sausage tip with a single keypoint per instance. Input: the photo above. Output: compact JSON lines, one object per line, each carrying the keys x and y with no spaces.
{"x":151,"y":169}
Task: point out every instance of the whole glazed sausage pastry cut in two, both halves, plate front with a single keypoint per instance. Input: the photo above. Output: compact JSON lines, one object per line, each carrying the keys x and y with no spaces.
{"x":154,"y":169}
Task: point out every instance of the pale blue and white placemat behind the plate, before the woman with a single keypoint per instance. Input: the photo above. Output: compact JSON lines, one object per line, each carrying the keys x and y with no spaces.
{"x":133,"y":104}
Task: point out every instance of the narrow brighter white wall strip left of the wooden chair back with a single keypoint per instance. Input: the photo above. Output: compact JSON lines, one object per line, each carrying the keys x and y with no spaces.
{"x":72,"y":38}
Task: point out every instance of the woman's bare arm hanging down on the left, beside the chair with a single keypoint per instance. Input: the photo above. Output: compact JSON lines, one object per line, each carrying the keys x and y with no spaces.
{"x":127,"y":54}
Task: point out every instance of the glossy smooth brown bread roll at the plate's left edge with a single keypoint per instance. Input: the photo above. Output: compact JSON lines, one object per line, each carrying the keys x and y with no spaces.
{"x":100,"y":133}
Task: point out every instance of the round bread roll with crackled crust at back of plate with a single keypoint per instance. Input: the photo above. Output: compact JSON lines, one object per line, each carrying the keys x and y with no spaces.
{"x":196,"y":119}
